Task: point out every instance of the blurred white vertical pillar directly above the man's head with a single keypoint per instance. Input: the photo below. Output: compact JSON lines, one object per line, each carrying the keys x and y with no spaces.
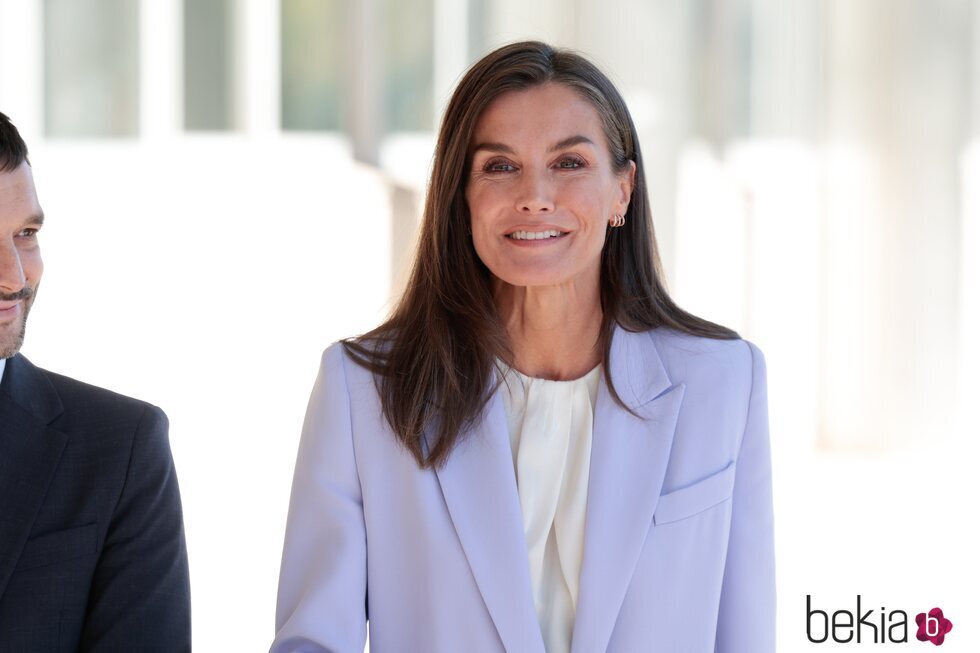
{"x":22,"y":67}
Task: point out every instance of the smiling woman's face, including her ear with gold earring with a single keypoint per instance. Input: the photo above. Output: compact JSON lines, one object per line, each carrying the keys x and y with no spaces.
{"x":541,"y":188}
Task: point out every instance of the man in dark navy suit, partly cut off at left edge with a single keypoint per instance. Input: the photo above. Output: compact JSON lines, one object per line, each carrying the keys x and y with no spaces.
{"x":92,"y":554}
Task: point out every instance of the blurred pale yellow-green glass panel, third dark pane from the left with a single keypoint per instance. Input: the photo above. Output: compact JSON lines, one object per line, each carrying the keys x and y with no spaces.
{"x":313,"y":43}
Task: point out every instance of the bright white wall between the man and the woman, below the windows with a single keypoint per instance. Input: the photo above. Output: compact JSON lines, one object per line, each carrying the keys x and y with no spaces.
{"x":206,"y":276}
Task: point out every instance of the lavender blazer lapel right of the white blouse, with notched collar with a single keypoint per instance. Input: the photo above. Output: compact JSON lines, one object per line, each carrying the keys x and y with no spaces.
{"x":628,"y":464}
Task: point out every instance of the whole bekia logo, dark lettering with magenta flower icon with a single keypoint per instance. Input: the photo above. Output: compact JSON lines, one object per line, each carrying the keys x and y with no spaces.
{"x":843,"y":626}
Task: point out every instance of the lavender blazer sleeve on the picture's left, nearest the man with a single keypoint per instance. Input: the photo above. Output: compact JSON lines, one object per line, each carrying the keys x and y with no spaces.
{"x":323,"y":579}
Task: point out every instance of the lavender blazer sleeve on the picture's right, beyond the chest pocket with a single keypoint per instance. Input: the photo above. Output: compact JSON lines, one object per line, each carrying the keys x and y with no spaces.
{"x":747,"y":613}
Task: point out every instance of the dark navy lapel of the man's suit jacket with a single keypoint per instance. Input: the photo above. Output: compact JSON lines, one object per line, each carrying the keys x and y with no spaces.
{"x":29,"y":454}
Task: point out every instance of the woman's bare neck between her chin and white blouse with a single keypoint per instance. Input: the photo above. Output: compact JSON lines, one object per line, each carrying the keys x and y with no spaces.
{"x":553,"y":330}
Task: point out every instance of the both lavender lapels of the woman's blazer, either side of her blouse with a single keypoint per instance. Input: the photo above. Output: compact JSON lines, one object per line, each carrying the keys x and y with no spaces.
{"x":629,"y":460}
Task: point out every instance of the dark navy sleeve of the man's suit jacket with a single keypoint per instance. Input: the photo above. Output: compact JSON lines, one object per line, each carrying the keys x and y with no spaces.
{"x":140,"y":592}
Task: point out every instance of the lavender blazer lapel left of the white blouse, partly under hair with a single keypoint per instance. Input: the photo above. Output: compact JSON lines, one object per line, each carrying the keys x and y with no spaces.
{"x":480,"y":489}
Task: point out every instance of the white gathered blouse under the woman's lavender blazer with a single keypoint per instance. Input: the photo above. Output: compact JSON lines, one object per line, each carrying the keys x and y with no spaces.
{"x":550,"y":424}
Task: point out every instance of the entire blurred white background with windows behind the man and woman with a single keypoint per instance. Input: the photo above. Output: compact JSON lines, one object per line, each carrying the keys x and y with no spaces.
{"x":231,"y":185}
